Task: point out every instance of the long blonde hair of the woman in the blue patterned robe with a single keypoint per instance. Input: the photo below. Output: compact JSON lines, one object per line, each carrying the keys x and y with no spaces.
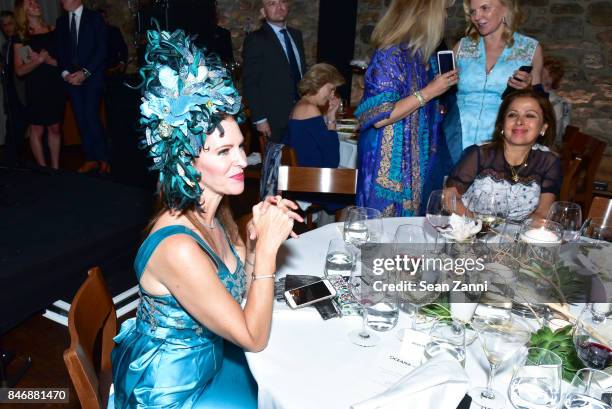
{"x":418,"y":23}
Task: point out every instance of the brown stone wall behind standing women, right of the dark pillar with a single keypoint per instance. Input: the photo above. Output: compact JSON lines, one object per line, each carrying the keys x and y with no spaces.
{"x":577,"y":32}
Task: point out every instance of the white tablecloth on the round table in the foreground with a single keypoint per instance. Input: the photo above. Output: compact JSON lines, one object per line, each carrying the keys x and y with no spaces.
{"x":311,"y":363}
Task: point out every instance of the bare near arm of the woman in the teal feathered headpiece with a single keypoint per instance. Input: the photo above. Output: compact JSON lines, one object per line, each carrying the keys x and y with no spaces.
{"x":190,"y":275}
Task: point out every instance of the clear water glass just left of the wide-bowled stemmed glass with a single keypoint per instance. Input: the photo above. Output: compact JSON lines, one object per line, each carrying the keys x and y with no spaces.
{"x":449,"y":338}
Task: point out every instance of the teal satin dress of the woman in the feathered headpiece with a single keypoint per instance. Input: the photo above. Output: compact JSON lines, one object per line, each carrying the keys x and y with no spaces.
{"x":164,"y":358}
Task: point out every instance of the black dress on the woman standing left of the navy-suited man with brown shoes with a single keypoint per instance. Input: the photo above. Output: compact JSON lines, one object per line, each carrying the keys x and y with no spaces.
{"x":45,"y":91}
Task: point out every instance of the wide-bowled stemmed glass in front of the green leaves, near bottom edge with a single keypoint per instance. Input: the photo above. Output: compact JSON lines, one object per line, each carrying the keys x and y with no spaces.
{"x":501,"y":337}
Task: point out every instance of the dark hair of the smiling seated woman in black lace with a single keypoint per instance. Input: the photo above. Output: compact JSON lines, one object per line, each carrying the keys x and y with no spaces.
{"x":548,"y":139}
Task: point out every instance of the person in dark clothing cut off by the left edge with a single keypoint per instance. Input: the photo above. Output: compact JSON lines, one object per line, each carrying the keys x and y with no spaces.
{"x":13,"y":92}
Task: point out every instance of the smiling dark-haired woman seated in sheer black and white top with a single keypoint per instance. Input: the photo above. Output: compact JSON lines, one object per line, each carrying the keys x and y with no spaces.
{"x":517,"y":162}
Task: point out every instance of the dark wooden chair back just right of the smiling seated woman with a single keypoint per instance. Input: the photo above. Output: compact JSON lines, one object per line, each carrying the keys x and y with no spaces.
{"x":590,"y":150}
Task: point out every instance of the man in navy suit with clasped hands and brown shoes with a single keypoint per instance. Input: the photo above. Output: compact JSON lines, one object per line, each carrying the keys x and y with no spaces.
{"x":82,"y":48}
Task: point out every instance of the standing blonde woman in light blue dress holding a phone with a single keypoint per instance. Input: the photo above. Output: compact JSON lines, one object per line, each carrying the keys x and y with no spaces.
{"x":488,"y":59}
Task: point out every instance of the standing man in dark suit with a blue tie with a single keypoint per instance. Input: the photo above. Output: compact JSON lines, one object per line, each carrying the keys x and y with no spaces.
{"x":274,"y":63}
